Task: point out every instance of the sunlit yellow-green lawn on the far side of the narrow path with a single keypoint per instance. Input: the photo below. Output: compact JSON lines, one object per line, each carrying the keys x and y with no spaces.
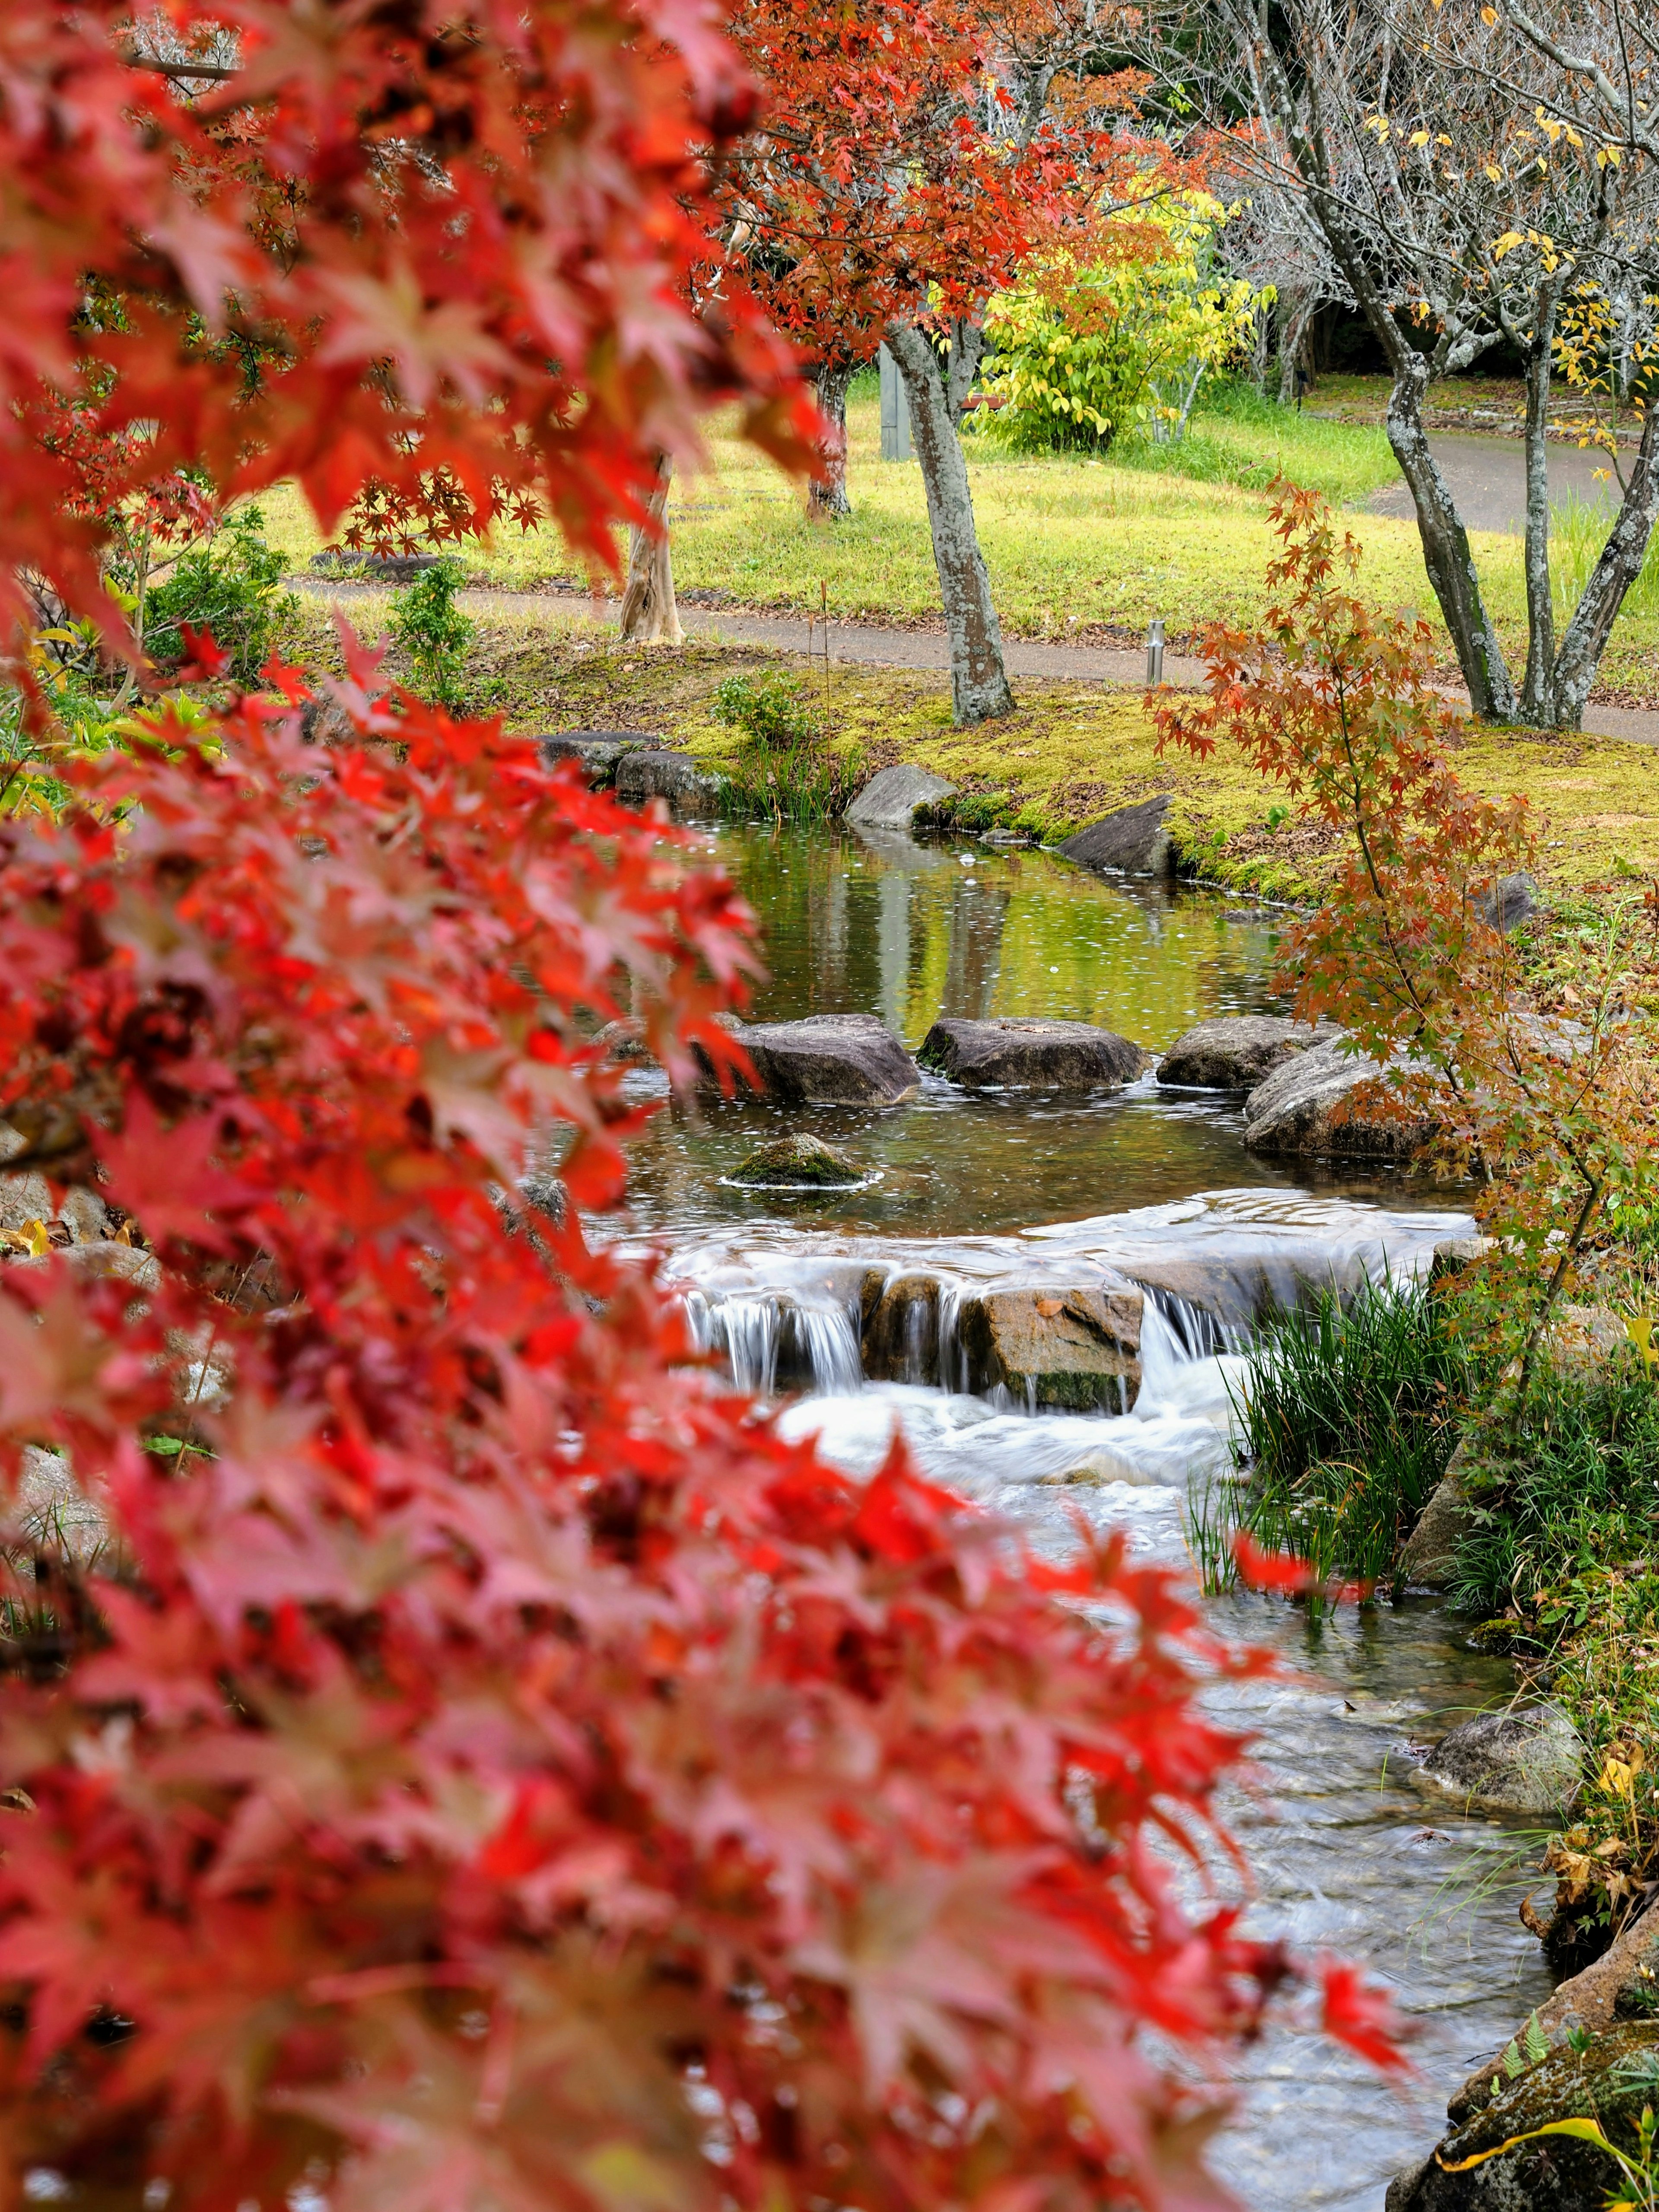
{"x":1076,"y":545}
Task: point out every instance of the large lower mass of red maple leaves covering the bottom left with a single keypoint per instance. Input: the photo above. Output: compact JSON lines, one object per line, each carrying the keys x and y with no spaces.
{"x":486,"y":1764}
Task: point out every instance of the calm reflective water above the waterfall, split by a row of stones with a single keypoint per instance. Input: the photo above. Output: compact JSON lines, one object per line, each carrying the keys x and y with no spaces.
{"x":921,"y":930}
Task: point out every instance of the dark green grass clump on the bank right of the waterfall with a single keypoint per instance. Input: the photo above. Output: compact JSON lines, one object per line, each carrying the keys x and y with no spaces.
{"x":1344,"y":1426}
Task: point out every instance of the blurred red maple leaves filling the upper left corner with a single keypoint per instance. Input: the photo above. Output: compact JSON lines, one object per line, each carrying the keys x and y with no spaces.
{"x":444,"y":258}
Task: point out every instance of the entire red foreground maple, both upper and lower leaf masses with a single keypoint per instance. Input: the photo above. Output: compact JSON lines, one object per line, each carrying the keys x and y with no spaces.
{"x":477,"y":1762}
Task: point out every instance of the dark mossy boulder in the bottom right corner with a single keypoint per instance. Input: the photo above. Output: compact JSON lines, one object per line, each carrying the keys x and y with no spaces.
{"x":1605,"y":2078}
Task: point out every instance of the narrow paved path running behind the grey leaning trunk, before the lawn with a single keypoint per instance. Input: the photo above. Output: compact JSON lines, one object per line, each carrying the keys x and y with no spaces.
{"x":870,"y":647}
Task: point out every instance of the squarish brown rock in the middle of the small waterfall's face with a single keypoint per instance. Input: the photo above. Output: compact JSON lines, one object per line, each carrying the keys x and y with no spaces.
{"x":1078,"y":1350}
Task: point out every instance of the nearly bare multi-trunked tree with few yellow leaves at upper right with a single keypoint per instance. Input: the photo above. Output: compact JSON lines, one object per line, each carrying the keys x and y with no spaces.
{"x":1461,"y":211}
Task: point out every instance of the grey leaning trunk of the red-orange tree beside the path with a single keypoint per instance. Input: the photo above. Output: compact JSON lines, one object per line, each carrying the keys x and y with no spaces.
{"x":979,"y":678}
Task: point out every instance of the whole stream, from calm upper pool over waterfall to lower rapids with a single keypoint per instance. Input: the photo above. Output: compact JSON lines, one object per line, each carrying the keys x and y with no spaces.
{"x":1145,"y":1187}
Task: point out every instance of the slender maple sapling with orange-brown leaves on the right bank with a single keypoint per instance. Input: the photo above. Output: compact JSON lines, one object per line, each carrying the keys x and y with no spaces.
{"x":1538,"y":1083}
